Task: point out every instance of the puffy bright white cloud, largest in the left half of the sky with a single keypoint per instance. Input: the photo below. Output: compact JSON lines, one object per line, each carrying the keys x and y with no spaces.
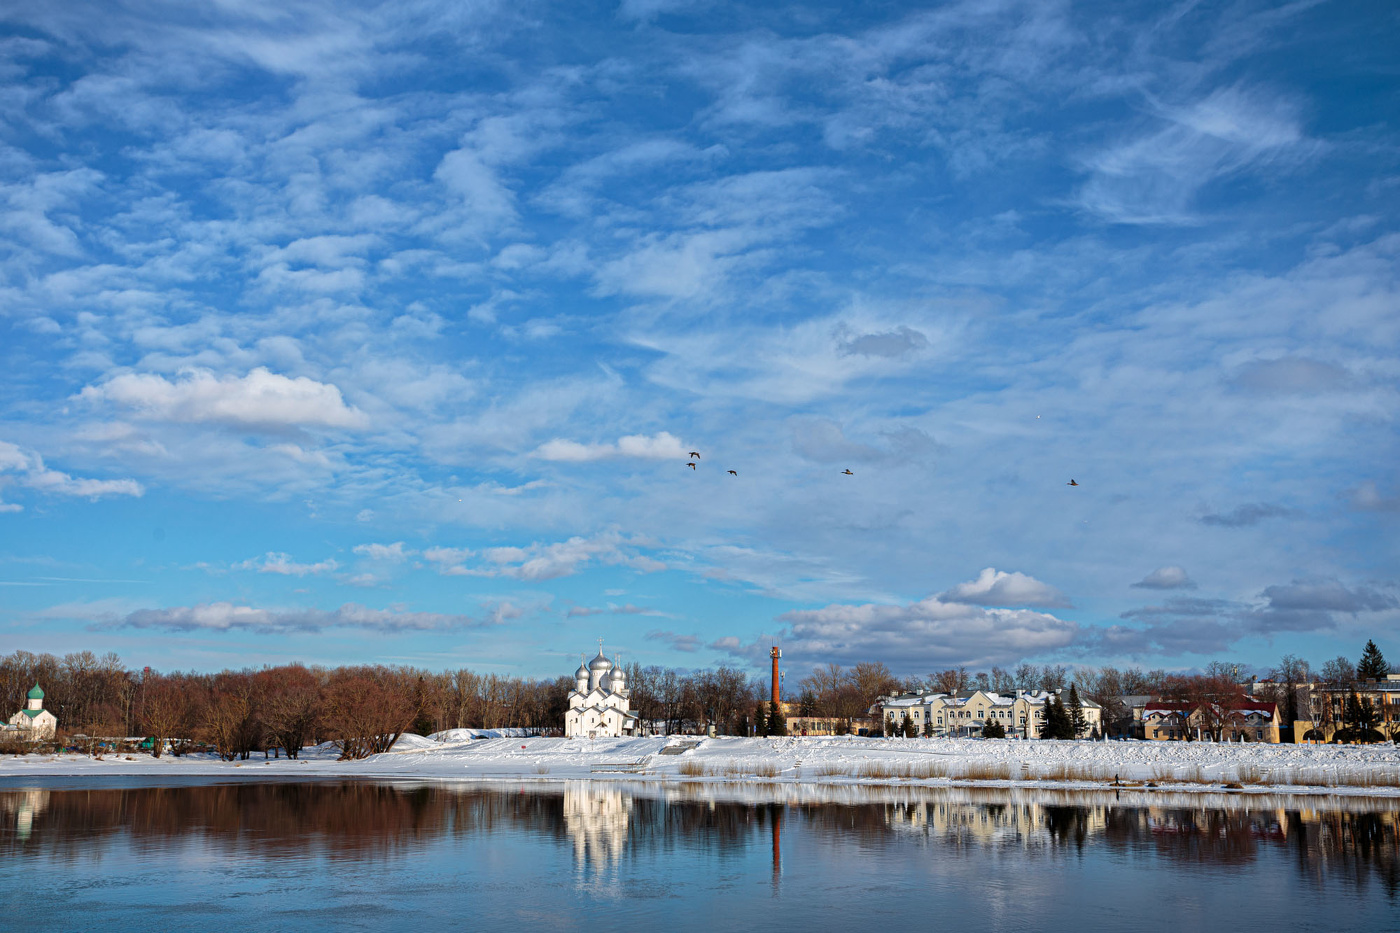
{"x":261,"y":399}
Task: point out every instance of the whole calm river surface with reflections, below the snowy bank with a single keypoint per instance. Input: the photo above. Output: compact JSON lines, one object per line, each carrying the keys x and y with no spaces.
{"x":394,"y":857}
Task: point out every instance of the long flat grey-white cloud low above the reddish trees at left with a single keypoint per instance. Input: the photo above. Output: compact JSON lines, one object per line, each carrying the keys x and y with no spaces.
{"x":227,"y":617}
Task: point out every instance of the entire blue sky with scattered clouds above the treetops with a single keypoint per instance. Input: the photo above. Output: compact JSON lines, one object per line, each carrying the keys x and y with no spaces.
{"x":352,"y":333}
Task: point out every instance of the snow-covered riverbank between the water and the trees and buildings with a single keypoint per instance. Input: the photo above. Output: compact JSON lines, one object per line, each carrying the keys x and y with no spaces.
{"x":1349,"y":770}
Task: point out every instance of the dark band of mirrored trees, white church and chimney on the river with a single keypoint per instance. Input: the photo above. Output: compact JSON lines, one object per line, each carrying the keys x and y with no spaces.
{"x":612,"y":833}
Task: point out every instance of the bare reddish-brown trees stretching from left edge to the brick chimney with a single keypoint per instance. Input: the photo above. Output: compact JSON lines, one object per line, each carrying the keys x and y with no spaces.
{"x":363,"y":710}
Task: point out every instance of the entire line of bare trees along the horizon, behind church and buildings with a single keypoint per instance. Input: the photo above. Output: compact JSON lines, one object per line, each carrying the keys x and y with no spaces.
{"x":365,"y":708}
